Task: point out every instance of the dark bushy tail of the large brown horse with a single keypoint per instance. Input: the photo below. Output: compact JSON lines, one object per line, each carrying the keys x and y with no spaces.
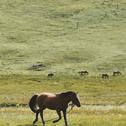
{"x":33,"y":103}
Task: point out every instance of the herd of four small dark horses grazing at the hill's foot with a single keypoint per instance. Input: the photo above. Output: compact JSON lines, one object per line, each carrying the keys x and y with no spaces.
{"x":85,"y":72}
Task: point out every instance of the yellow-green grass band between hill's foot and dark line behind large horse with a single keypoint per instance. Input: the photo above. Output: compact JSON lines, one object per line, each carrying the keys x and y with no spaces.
{"x":18,"y":89}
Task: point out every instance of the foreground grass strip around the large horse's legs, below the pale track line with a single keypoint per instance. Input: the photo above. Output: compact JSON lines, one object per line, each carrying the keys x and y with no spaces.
{"x":78,"y":117}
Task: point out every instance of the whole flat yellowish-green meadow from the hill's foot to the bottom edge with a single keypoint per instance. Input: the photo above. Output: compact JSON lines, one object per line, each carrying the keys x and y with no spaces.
{"x":103,"y":101}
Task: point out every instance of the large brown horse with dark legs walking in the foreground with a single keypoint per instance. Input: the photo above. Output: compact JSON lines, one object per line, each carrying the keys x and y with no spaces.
{"x":58,"y":102}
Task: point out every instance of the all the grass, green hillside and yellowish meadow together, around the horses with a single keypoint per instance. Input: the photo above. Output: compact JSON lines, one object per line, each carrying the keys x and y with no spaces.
{"x":63,"y":37}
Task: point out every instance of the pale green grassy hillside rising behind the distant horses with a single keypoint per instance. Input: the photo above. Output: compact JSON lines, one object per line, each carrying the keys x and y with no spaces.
{"x":65,"y":36}
